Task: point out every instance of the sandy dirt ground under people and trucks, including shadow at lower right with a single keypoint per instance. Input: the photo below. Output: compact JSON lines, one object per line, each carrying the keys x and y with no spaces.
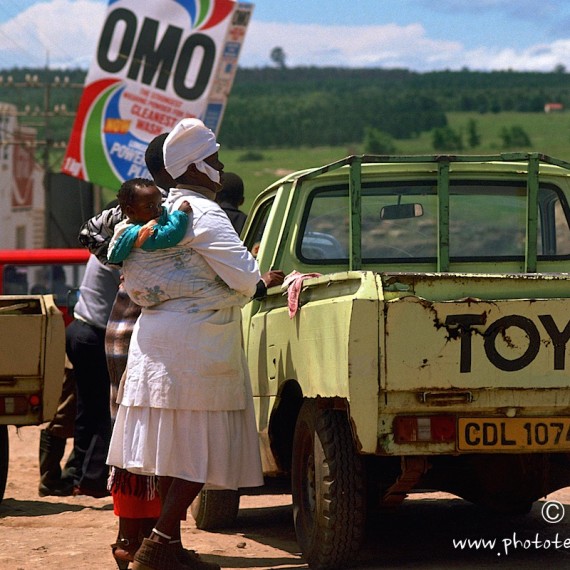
{"x":68,"y":533}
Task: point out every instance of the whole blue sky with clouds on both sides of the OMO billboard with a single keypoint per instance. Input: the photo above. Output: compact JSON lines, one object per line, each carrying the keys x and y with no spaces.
{"x":422,"y":35}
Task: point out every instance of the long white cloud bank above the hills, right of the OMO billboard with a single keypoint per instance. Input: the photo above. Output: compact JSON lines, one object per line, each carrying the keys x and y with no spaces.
{"x":389,"y":46}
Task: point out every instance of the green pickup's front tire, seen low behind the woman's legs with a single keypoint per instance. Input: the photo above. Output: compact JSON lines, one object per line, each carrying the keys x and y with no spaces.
{"x":215,"y":510}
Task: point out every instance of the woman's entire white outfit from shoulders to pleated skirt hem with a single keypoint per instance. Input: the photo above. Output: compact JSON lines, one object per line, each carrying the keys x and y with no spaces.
{"x":186,"y":410}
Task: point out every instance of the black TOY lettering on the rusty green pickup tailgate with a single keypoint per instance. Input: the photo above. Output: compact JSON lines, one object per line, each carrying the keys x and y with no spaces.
{"x":460,"y":326}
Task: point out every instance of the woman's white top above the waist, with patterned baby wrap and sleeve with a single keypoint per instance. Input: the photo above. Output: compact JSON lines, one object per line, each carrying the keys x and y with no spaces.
{"x":209,"y":269}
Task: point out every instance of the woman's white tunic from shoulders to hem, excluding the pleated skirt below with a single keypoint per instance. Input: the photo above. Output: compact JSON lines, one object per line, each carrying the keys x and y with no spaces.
{"x":186,"y":350}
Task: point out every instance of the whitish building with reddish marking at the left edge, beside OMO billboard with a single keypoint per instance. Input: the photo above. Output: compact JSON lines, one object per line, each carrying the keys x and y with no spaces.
{"x":22,"y":195}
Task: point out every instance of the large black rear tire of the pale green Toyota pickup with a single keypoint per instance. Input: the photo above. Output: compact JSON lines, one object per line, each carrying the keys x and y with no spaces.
{"x":328,"y":488}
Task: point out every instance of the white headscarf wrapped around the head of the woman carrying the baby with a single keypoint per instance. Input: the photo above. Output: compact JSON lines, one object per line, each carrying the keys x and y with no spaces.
{"x":190,"y":142}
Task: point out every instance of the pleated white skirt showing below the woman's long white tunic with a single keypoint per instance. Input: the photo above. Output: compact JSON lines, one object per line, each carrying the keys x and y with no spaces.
{"x":217,"y":448}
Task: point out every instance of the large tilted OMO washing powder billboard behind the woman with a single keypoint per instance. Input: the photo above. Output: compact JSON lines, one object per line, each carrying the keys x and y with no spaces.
{"x":156,"y":63}
